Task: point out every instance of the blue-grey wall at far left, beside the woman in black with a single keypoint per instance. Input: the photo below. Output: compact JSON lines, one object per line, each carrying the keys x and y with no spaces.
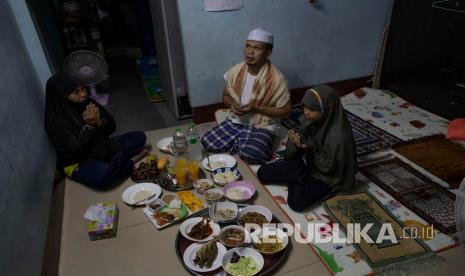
{"x":26,"y":157}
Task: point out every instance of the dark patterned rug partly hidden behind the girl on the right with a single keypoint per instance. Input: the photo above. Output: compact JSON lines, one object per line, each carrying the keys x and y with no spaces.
{"x":367,"y":137}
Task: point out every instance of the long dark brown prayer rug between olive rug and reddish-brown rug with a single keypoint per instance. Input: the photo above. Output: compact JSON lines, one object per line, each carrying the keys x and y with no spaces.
{"x":419,"y":193}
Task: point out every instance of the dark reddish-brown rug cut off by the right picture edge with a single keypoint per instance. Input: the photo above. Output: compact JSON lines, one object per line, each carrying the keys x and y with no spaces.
{"x":438,"y":155}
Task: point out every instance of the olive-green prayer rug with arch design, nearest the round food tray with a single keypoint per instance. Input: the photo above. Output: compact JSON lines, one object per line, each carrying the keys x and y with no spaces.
{"x":362,"y":208}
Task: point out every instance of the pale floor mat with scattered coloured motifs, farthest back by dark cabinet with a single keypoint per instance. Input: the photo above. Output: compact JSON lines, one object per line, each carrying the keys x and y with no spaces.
{"x":393,"y":114}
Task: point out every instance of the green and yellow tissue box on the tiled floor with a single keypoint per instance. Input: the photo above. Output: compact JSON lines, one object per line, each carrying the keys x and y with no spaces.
{"x":106,"y":226}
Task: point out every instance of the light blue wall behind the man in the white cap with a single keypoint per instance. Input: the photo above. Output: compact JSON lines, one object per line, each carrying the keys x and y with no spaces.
{"x":328,"y":41}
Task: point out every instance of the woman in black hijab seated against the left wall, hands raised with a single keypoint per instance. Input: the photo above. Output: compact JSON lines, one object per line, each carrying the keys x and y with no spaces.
{"x":79,"y":129}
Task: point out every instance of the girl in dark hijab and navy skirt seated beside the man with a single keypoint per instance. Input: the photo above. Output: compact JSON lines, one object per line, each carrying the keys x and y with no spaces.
{"x":320,"y":158}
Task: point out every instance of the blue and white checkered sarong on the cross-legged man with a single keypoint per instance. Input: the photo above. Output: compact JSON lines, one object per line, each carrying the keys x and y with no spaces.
{"x":254,"y":145}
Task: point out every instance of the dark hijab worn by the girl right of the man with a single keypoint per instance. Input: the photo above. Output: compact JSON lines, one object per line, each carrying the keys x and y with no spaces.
{"x":332,"y":158}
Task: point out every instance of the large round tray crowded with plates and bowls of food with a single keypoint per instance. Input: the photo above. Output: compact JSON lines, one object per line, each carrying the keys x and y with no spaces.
{"x":233,"y":250}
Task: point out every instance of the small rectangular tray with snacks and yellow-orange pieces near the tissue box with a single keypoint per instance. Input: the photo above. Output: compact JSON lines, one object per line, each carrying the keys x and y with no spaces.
{"x":173,"y":208}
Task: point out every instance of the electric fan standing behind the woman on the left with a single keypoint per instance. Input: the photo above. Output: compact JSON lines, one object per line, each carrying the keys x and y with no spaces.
{"x":90,"y":69}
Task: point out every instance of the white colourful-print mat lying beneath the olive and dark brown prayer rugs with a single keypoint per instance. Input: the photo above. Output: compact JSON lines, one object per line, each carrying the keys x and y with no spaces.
{"x":343,"y":258}
